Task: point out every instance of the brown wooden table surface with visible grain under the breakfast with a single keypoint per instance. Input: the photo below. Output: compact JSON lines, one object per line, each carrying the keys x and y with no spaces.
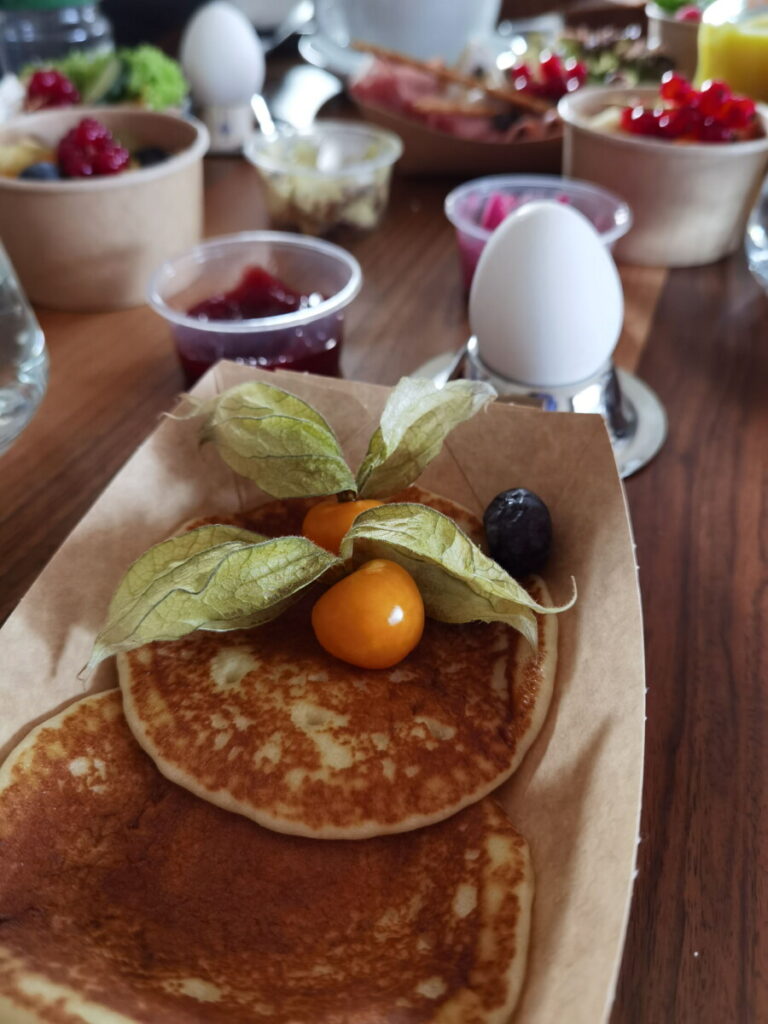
{"x":696,"y":951}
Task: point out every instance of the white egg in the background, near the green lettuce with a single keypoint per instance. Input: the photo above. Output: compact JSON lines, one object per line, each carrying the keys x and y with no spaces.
{"x":223,"y":57}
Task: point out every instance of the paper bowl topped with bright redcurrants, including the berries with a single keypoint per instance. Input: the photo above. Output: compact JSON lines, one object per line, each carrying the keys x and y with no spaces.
{"x":690,"y":164}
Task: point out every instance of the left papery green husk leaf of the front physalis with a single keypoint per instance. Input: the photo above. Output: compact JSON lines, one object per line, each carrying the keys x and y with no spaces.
{"x":231,"y":583}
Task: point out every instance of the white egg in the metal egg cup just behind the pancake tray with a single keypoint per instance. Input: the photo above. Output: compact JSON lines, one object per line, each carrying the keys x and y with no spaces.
{"x":546,"y":304}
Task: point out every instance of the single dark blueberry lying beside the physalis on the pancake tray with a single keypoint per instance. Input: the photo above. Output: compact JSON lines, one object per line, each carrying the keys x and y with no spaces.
{"x":519,"y":530}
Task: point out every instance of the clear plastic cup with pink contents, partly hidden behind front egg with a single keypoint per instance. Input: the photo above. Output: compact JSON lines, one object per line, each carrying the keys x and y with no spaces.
{"x":468,"y":207}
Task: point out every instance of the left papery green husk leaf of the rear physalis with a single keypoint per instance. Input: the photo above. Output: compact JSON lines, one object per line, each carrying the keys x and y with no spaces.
{"x":277,"y":441}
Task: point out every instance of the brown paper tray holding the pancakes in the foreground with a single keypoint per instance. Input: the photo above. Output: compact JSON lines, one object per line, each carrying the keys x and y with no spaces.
{"x":577,"y":797}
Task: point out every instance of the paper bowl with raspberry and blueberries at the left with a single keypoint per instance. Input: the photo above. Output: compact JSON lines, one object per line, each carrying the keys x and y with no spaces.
{"x":93,"y":199}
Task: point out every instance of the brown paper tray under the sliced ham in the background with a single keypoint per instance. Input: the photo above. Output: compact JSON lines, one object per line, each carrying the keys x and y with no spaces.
{"x":430,"y":152}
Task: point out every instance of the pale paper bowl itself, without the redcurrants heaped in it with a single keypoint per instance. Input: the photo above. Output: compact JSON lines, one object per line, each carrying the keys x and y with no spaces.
{"x":691,"y":202}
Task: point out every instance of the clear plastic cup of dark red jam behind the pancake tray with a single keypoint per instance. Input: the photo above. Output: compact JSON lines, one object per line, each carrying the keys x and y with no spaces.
{"x":310,"y":339}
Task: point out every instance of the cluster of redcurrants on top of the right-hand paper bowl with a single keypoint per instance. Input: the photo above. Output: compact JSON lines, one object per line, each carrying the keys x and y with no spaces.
{"x":711,"y":115}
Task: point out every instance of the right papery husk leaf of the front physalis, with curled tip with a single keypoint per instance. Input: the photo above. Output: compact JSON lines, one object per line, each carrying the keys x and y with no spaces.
{"x":458,"y":582}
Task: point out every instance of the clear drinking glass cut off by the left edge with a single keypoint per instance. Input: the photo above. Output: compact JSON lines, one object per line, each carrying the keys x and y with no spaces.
{"x":24,"y":362}
